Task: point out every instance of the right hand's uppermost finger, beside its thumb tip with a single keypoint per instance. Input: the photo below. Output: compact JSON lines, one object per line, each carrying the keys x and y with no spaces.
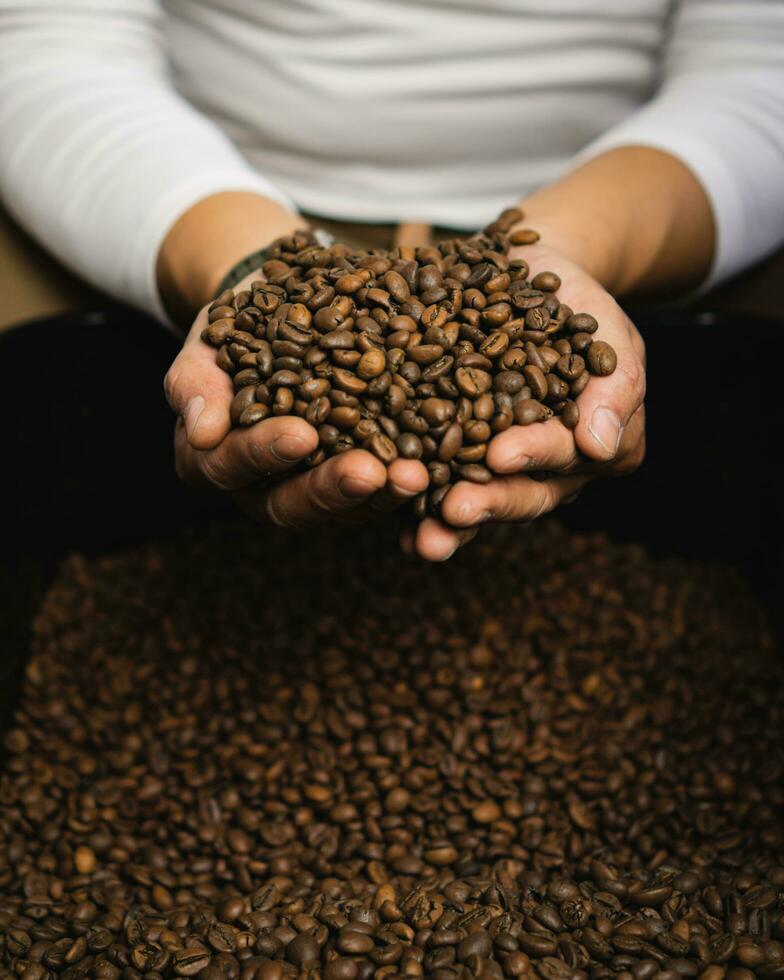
{"x":543,"y":446}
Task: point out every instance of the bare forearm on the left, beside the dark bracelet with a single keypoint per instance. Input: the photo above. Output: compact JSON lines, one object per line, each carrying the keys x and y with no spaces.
{"x":206,"y":241}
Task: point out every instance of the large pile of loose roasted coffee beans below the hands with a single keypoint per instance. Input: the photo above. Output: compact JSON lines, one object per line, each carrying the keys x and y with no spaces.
{"x":551,"y":757}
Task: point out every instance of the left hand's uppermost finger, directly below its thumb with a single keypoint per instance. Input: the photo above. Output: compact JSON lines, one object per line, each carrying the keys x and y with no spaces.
{"x":245,"y":455}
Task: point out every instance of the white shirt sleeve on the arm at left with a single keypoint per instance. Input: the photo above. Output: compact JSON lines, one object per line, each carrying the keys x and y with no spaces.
{"x":99,"y":155}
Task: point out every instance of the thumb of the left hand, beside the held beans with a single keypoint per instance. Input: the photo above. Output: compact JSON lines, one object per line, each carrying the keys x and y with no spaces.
{"x":199,"y":391}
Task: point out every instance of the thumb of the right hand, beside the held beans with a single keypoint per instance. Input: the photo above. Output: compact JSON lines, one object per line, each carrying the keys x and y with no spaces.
{"x":608,"y":403}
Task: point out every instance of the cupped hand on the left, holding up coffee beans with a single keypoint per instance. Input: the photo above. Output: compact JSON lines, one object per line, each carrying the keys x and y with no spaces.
{"x":250,"y":463}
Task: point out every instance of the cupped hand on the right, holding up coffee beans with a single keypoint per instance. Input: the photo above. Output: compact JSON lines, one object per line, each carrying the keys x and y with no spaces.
{"x":609,"y":439}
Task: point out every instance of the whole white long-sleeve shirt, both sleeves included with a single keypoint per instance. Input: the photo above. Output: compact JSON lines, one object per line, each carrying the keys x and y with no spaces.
{"x":117,"y":115}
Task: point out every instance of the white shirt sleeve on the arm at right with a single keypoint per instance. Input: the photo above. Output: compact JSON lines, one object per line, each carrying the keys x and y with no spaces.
{"x":720,"y":110}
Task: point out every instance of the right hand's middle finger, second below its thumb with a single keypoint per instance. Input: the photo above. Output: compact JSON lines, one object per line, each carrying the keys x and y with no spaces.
{"x":507,"y":499}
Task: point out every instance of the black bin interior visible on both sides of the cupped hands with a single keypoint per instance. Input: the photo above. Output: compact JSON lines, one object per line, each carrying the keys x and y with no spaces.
{"x":88,"y":461}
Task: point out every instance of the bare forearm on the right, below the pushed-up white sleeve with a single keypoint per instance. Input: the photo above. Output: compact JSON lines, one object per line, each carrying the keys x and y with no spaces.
{"x":635,"y":218}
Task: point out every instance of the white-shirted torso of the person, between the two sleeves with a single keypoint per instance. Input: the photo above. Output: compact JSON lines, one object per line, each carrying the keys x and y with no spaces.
{"x":434,"y":110}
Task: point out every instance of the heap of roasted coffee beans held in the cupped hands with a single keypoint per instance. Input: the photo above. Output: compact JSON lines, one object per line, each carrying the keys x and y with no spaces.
{"x":425,"y":353}
